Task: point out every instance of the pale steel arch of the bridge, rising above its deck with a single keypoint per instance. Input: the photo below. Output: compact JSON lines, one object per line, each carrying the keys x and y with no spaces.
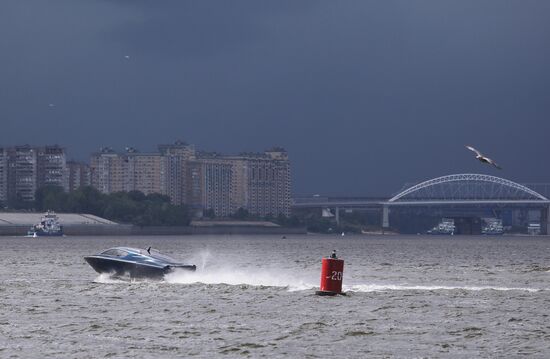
{"x":468,"y":177}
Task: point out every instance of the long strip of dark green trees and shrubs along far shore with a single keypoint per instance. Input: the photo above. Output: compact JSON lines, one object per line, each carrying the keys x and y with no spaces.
{"x":155,"y":210}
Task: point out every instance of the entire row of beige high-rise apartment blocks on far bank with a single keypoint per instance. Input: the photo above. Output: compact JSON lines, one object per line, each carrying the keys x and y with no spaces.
{"x":259,"y":183}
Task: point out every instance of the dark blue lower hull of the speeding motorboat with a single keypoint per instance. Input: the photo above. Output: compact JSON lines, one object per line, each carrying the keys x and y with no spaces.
{"x":115,"y":267}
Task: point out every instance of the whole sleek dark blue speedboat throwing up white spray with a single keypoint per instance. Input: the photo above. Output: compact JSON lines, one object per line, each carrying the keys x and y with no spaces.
{"x":137,"y":263}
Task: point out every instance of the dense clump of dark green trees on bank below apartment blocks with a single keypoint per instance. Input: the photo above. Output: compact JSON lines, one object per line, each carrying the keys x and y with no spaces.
{"x":126,"y":207}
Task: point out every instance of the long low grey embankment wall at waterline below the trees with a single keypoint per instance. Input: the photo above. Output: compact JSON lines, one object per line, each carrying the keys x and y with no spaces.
{"x":126,"y":230}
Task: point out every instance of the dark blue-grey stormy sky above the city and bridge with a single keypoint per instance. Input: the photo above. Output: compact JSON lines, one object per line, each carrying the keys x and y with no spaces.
{"x":365,"y":95}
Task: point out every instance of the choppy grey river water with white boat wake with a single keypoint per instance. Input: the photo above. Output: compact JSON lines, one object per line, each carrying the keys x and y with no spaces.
{"x":253,"y":296}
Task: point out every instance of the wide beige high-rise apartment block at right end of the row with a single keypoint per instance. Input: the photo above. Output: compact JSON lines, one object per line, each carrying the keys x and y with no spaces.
{"x":257,"y":182}
